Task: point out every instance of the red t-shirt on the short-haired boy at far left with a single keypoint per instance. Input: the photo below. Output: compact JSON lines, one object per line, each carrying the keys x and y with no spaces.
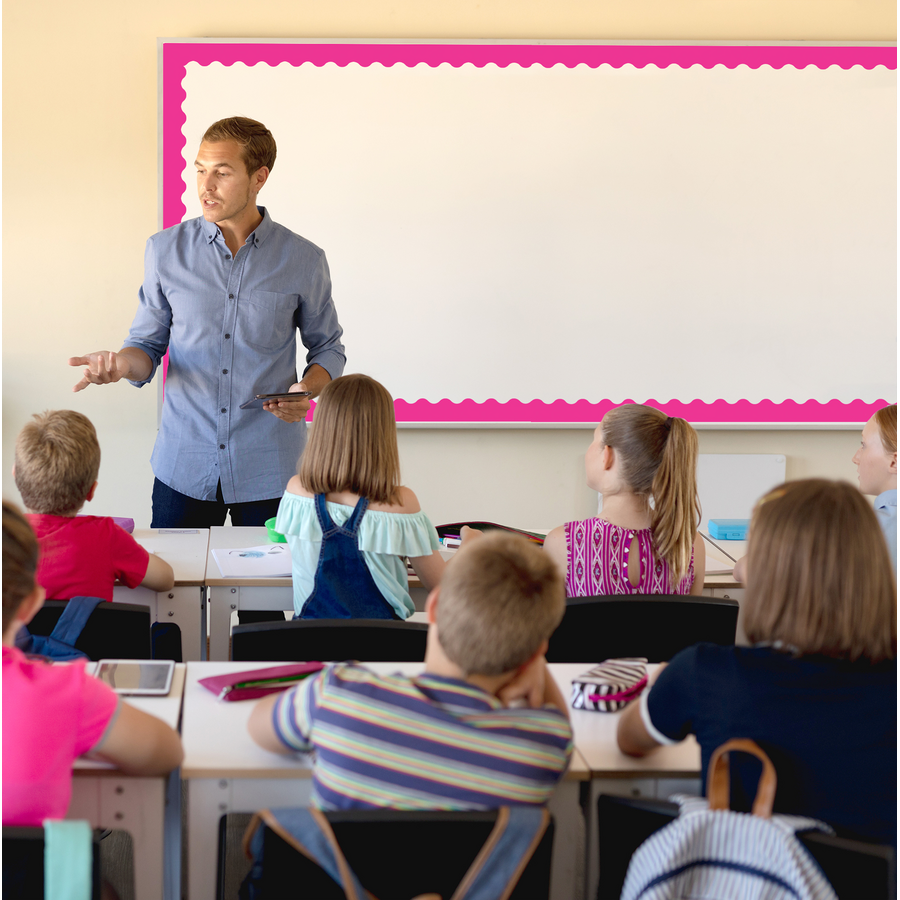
{"x":82,"y":556}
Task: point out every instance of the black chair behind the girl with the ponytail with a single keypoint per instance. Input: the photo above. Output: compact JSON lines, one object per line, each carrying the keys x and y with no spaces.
{"x":656,"y":626}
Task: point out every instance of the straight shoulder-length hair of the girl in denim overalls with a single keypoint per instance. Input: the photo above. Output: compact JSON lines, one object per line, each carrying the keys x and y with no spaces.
{"x":353,"y":442}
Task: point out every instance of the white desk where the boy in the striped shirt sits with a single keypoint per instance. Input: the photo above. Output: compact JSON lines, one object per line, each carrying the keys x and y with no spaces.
{"x":235,"y":775}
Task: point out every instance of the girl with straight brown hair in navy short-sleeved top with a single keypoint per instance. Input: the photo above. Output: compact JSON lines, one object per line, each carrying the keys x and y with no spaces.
{"x":818,"y":688}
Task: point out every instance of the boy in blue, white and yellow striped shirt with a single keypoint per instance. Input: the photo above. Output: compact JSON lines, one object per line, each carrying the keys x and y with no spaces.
{"x":447,"y":739}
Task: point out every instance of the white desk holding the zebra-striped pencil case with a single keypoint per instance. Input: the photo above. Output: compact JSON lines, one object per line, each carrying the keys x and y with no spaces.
{"x":663,"y":772}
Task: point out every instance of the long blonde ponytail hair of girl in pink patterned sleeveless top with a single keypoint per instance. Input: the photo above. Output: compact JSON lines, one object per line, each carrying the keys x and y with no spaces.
{"x":658,"y":457}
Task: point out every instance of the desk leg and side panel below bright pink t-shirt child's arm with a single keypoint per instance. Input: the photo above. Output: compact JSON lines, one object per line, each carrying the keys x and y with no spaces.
{"x":136,"y":805}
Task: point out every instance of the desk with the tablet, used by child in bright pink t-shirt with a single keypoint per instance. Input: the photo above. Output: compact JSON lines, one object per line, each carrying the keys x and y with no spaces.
{"x":148,"y":808}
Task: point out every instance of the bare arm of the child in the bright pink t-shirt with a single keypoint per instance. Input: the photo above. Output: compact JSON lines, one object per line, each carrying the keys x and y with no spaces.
{"x":140,"y":744}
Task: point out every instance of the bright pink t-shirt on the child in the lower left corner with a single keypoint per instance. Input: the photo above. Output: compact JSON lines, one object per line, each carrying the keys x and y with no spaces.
{"x":51,"y":715}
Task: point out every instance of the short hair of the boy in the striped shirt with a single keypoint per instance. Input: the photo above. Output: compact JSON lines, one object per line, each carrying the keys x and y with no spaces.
{"x":500,"y":598}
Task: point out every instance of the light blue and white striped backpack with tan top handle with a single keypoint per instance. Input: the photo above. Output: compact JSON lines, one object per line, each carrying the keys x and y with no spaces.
{"x":710,"y":852}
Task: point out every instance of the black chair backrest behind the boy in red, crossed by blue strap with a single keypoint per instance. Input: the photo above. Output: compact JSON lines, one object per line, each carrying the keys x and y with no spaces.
{"x":114,"y":630}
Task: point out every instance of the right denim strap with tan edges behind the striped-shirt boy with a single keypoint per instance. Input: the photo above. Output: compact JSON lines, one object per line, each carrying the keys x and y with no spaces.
{"x":505,"y":854}
